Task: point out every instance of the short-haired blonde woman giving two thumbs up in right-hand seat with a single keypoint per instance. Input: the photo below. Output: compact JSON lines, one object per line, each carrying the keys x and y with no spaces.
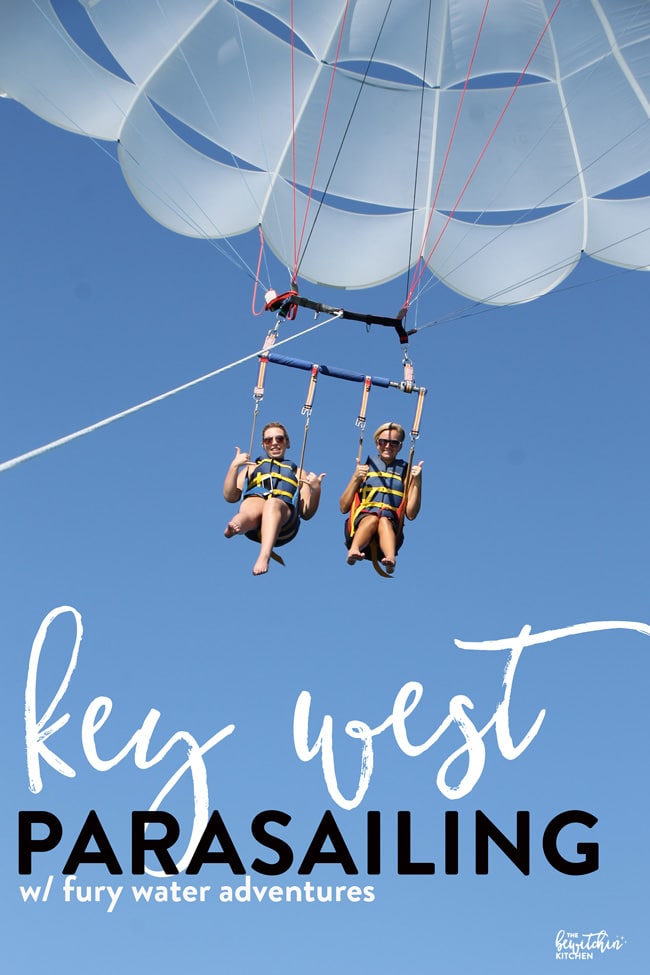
{"x":379,"y":487}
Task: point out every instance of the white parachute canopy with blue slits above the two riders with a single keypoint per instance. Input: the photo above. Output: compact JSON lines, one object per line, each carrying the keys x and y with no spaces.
{"x":496,"y":140}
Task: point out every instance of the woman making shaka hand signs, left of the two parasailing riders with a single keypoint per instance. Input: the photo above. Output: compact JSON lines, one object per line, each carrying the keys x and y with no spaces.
{"x":276,"y":495}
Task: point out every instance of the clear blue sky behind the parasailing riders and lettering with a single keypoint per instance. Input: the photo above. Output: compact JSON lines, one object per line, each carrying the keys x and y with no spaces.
{"x":536,"y":480}
